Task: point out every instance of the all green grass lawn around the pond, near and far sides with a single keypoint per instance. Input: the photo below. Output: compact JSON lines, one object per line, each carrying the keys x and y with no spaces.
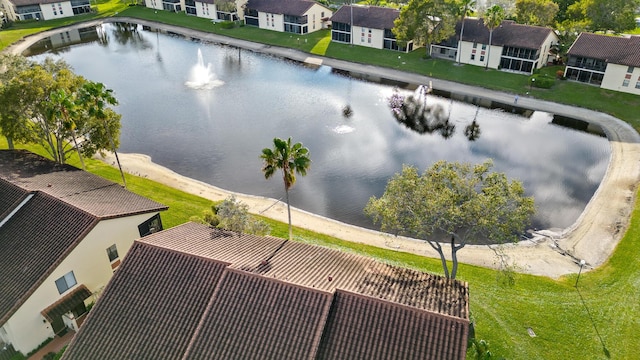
{"x":600,"y":320}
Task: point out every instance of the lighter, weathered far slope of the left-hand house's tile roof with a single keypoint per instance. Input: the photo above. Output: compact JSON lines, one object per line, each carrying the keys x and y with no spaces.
{"x":93,"y":194}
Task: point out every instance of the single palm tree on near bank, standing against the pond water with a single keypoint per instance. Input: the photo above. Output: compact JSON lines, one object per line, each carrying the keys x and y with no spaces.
{"x":291,"y":159}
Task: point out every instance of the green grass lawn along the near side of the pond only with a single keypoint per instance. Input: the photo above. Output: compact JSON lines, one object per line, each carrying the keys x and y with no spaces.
{"x":600,"y":318}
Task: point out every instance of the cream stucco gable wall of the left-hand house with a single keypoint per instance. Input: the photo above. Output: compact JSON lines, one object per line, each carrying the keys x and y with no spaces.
{"x":90,"y":264}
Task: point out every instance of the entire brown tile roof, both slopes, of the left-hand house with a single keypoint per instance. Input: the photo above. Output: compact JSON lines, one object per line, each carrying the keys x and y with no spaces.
{"x":61,"y":206}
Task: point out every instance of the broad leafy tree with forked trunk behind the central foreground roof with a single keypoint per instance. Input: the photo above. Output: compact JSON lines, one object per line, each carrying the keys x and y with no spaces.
{"x":468,"y":203}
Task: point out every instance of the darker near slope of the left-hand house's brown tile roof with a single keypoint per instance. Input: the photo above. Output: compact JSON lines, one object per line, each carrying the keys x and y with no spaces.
{"x":32,"y":243}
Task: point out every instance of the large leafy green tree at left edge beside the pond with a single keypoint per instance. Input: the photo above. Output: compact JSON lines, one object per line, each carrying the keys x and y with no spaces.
{"x":45,"y":107}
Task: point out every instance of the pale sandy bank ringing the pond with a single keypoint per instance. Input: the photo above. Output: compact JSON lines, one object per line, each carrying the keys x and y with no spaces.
{"x":593,"y":237}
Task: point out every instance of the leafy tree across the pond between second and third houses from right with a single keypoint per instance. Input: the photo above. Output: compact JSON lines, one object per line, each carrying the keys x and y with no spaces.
{"x":426,"y":21}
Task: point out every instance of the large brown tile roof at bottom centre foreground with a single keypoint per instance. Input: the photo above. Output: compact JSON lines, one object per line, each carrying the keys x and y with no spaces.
{"x":275,"y":300}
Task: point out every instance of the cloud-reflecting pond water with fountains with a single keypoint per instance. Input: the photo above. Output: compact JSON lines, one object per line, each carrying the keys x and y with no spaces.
{"x":215,"y":133}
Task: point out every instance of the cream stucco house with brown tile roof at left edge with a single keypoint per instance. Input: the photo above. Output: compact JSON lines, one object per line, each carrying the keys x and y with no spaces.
{"x":50,"y":215}
